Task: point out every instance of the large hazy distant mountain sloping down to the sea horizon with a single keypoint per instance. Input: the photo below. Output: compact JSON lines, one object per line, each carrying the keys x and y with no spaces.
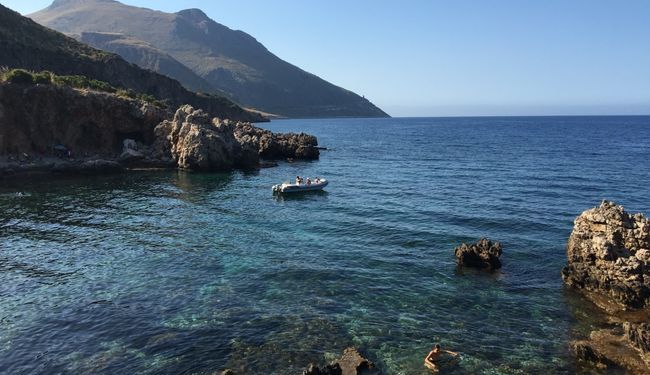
{"x":229,"y":60}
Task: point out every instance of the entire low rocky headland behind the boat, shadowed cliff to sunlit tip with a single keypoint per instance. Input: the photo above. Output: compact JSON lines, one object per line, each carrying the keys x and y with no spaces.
{"x":56,"y":128}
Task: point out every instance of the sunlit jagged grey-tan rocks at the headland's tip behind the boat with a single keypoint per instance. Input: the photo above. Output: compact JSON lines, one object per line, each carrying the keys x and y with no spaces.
{"x":195,"y":141}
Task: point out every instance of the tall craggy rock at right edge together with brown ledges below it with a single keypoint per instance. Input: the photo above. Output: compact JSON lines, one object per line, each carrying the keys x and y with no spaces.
{"x":609,"y":262}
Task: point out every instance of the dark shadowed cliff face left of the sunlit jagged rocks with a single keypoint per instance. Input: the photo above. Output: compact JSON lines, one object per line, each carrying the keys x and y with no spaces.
{"x":35,"y":118}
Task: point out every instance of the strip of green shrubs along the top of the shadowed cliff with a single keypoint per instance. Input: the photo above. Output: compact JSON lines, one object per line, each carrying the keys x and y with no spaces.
{"x":22,"y":76}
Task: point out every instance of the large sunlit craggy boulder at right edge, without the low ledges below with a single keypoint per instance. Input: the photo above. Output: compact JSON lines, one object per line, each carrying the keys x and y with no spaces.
{"x":609,"y":253}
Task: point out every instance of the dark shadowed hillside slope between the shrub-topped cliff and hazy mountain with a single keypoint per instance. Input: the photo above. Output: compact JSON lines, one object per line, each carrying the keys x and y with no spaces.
{"x":28,"y":45}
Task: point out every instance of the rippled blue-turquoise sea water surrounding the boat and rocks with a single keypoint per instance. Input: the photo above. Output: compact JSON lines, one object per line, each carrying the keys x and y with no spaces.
{"x":174,"y":272}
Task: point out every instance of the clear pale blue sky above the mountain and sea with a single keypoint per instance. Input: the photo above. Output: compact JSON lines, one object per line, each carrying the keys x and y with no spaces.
{"x":439,"y":58}
